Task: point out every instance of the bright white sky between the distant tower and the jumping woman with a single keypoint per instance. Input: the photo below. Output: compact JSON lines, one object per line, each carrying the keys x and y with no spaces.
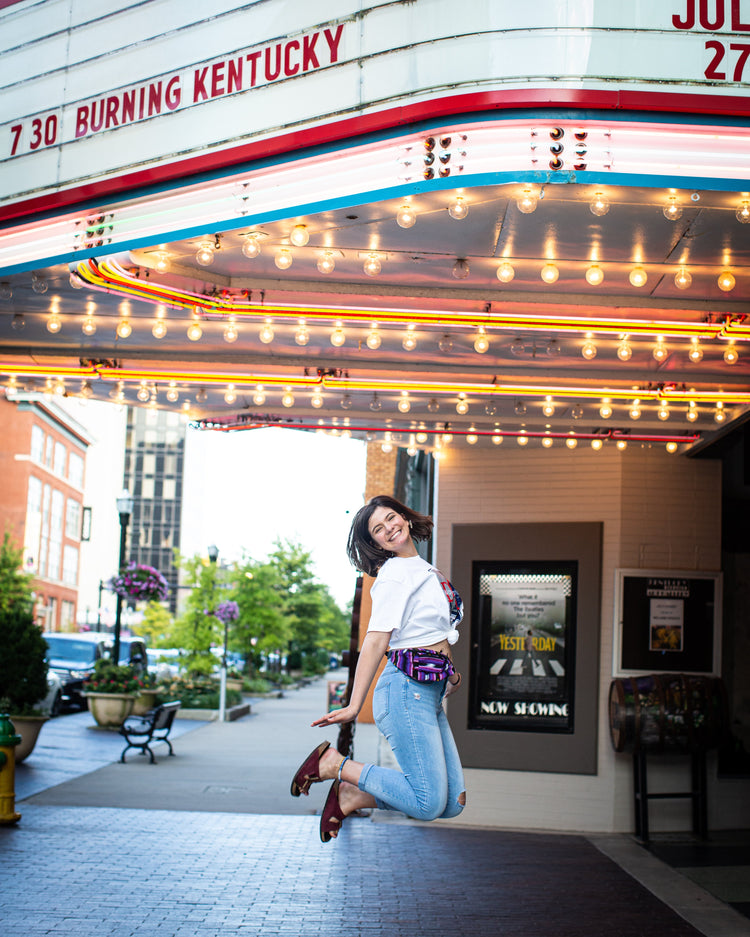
{"x":245,"y":489}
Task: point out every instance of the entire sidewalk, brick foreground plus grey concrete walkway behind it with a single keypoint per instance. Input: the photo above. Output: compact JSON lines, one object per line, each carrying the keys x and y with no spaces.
{"x":210,"y":842}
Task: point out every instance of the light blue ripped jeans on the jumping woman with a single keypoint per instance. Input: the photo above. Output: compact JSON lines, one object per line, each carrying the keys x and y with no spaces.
{"x":410,"y":715}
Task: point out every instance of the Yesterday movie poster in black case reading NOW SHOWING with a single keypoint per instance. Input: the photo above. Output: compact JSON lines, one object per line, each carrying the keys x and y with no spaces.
{"x":523,"y":640}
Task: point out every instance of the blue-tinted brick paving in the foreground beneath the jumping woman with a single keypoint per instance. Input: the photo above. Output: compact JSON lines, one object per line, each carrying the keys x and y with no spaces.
{"x":103,"y":872}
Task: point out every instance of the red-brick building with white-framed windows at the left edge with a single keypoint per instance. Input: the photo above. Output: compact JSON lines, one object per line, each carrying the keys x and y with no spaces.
{"x":41,"y":500}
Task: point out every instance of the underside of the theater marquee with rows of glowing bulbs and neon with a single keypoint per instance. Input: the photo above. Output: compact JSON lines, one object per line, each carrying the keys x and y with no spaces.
{"x":455,"y":334}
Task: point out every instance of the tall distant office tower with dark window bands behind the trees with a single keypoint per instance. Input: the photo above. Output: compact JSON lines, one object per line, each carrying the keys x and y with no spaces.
{"x":154,"y":463}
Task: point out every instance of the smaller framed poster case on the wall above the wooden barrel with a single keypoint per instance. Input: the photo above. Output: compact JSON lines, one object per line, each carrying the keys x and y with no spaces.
{"x":667,"y":621}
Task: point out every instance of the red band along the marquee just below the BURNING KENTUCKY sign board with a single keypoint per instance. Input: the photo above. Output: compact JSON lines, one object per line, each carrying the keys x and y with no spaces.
{"x":328,"y":133}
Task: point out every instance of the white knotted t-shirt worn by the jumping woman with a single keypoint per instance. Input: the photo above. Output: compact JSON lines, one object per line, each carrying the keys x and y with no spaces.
{"x":408,"y":600}
